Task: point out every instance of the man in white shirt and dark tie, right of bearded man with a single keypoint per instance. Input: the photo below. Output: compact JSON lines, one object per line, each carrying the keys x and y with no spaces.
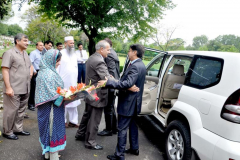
{"x":82,"y":58}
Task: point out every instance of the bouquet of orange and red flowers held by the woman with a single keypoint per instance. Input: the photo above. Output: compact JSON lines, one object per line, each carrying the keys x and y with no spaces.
{"x":81,"y":91}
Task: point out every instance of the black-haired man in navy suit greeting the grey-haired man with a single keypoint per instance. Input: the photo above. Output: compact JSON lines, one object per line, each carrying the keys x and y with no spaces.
{"x":129,"y":103}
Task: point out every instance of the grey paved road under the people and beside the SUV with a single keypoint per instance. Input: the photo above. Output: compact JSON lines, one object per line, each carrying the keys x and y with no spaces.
{"x":28,"y":148}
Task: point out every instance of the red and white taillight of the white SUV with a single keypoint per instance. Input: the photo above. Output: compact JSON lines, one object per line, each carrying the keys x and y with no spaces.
{"x":231,"y":108}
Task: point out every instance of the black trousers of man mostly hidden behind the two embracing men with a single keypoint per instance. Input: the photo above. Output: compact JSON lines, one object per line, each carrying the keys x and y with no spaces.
{"x":109,"y":113}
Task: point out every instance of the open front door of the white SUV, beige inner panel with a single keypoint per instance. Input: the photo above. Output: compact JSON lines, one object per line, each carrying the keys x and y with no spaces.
{"x":151,"y":85}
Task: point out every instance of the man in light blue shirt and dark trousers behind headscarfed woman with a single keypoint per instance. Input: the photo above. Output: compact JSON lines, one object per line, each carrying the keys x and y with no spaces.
{"x":35,"y":57}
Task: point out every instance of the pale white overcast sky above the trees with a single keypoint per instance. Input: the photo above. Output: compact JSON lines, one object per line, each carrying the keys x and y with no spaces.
{"x":191,"y":17}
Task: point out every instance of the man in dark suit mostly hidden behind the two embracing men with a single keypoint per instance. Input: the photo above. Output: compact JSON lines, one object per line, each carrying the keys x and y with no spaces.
{"x":112,"y":62}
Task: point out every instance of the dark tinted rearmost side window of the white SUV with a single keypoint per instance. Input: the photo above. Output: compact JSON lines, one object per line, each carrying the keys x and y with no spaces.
{"x":204,"y":72}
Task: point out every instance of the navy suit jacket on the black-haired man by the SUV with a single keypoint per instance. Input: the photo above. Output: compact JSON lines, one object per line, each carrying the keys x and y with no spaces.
{"x":129,"y":103}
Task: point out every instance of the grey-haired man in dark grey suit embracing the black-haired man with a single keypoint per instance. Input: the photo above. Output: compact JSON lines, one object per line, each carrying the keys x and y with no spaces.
{"x":96,"y":69}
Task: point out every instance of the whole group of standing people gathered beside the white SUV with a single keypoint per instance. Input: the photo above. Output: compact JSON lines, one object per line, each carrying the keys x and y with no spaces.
{"x":48,"y":69}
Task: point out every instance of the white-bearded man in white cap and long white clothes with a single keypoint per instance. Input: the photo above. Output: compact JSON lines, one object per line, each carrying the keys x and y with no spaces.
{"x":68,"y":70}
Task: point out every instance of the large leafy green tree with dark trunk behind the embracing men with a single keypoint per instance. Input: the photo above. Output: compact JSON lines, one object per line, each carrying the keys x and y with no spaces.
{"x":123,"y":18}
